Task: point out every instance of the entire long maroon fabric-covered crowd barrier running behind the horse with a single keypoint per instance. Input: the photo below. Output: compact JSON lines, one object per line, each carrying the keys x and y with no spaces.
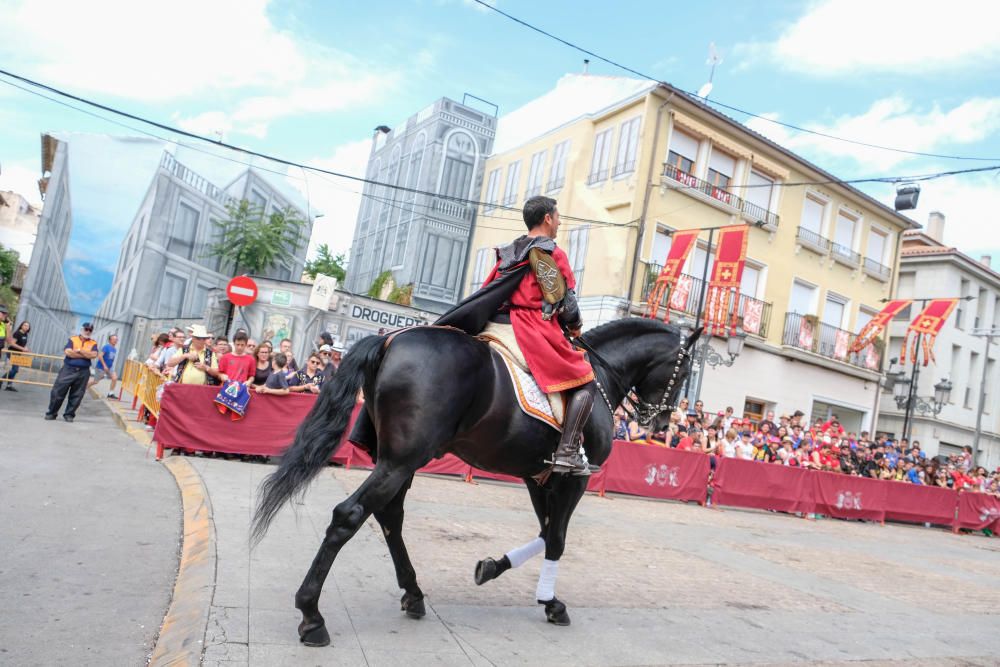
{"x":189,"y":420}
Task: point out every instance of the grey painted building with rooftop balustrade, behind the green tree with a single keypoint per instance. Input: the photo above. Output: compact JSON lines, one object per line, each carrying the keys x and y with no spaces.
{"x":166,"y":269}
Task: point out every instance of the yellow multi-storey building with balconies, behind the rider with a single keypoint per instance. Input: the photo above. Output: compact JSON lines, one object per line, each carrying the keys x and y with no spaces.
{"x":640,"y":159}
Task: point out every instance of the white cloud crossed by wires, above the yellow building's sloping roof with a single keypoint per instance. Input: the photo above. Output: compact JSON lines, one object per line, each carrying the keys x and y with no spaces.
{"x":892,"y":121}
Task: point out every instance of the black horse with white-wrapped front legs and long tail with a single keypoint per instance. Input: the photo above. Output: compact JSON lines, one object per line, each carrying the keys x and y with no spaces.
{"x":431,"y":391}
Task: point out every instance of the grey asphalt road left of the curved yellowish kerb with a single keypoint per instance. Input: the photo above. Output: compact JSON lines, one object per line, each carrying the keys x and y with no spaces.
{"x":89,"y":541}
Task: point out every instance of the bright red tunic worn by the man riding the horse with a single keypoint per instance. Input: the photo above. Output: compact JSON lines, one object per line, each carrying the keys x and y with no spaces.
{"x":555,"y":364}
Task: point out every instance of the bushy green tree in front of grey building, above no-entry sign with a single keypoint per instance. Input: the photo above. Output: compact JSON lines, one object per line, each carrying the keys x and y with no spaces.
{"x":252,"y":242}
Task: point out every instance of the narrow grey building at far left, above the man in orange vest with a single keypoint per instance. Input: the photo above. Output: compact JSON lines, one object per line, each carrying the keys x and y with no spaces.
{"x":44,"y":297}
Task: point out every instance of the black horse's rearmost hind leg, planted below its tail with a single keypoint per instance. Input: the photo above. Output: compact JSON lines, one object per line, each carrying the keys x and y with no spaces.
{"x":375,"y":493}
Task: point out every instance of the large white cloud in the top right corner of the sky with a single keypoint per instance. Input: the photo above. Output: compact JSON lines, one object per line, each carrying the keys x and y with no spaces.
{"x":840,"y":37}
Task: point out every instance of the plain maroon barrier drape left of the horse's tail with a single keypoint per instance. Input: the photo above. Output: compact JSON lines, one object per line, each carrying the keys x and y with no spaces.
{"x":189,"y":419}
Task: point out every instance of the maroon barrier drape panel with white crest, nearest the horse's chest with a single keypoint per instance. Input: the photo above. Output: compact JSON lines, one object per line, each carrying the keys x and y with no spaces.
{"x":656,"y":472}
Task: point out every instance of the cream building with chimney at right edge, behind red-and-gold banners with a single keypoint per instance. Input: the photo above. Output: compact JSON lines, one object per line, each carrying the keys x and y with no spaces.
{"x":930,"y":269}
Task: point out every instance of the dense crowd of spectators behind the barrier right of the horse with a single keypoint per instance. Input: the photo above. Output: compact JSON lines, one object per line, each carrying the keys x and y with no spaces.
{"x":822,"y":444}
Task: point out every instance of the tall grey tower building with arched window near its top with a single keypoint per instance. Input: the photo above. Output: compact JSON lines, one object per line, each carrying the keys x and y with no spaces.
{"x":422,"y":237}
